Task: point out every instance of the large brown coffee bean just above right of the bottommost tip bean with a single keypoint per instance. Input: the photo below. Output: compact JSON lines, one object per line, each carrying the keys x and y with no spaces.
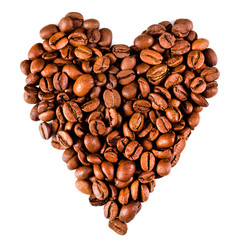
{"x":129,"y":211}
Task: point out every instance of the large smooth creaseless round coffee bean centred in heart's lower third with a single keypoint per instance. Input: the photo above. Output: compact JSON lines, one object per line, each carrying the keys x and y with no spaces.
{"x":125,"y":170}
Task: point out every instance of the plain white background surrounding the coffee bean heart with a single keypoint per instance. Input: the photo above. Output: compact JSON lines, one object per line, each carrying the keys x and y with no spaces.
{"x":198,"y":200}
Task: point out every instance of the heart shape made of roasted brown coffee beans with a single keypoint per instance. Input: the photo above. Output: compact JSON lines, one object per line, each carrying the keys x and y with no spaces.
{"x":121,"y":114}
